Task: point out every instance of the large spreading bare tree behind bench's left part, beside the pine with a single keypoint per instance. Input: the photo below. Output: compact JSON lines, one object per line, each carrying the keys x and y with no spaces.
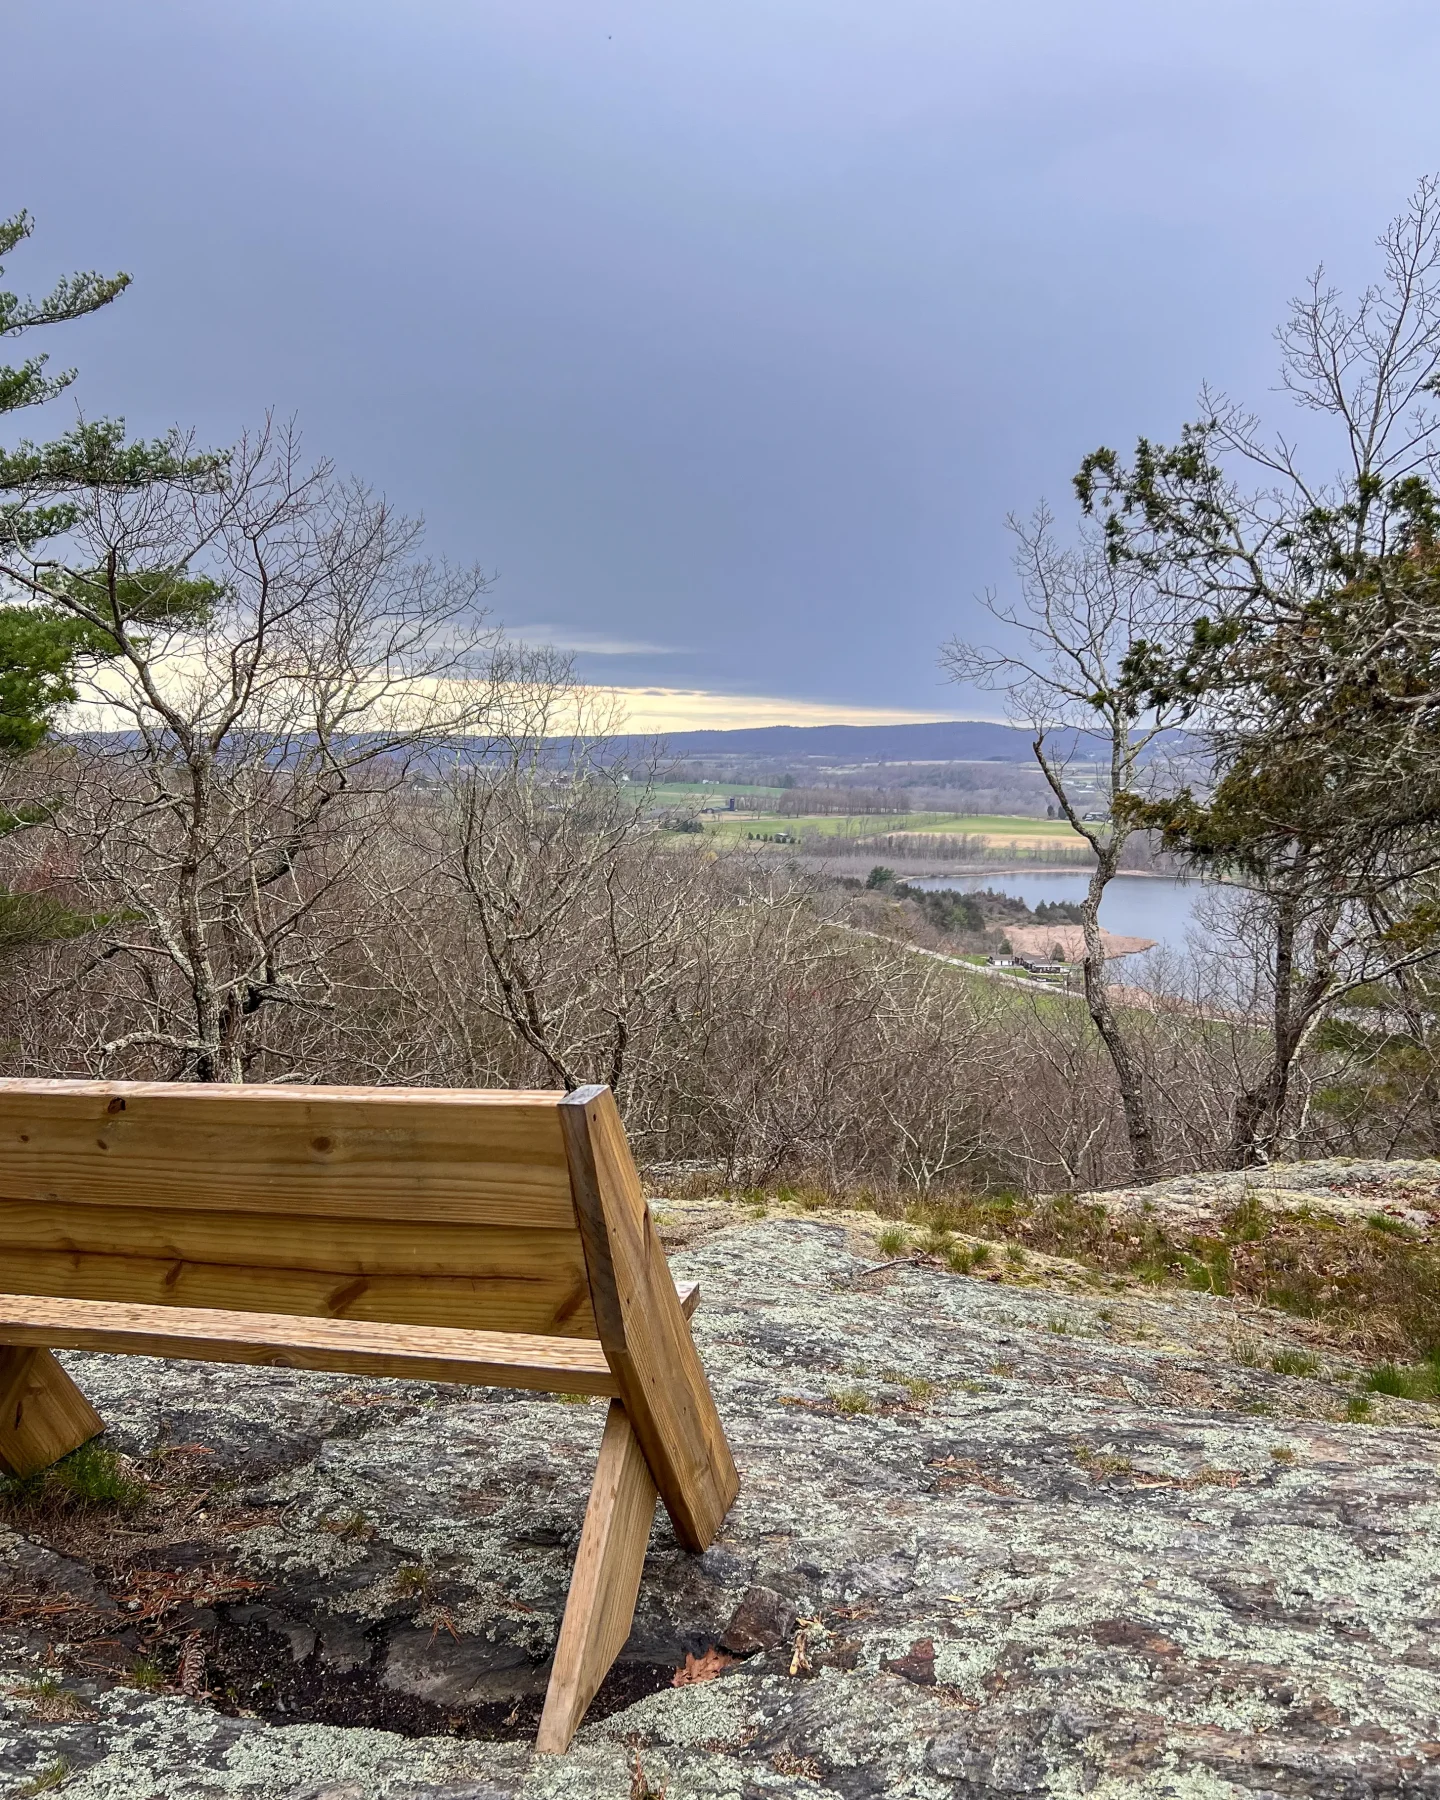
{"x":276,"y":676}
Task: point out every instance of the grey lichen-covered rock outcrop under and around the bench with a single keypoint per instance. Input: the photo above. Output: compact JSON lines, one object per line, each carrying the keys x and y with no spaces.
{"x":1000,"y":1536}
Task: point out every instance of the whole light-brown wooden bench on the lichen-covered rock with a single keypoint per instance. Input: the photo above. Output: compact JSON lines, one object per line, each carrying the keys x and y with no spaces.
{"x":496,"y":1239}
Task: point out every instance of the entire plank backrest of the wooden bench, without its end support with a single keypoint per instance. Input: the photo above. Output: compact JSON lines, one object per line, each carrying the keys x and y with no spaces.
{"x":409,"y":1207}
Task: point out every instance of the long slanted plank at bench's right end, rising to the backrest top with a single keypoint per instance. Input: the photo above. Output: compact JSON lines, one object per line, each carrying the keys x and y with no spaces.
{"x":643,"y":1327}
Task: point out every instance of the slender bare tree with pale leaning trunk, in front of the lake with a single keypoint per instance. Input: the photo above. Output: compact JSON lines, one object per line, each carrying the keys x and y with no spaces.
{"x":1066,"y":674}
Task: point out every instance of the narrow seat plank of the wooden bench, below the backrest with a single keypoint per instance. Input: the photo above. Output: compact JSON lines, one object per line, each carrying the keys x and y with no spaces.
{"x":411,"y":1353}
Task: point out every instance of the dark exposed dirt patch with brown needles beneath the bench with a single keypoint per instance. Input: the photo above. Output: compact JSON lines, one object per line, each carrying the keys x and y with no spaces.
{"x":147,"y":1590}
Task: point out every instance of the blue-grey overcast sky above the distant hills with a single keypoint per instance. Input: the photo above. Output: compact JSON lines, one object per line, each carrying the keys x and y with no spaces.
{"x":724,"y":332}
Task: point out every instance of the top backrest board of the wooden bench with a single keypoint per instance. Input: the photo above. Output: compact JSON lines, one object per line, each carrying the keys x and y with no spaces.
{"x":386,"y":1153}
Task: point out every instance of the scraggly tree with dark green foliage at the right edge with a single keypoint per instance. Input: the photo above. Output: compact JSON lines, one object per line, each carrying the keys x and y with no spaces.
{"x":1315,"y":649}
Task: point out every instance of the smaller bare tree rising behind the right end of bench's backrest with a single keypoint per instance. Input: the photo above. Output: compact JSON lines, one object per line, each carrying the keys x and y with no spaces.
{"x":555,"y":904}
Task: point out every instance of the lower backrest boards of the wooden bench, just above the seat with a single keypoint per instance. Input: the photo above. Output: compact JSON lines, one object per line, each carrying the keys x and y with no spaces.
{"x":496,"y":1277}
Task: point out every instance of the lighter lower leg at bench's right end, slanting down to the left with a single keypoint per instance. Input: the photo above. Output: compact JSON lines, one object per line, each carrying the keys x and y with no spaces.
{"x":606,"y":1581}
